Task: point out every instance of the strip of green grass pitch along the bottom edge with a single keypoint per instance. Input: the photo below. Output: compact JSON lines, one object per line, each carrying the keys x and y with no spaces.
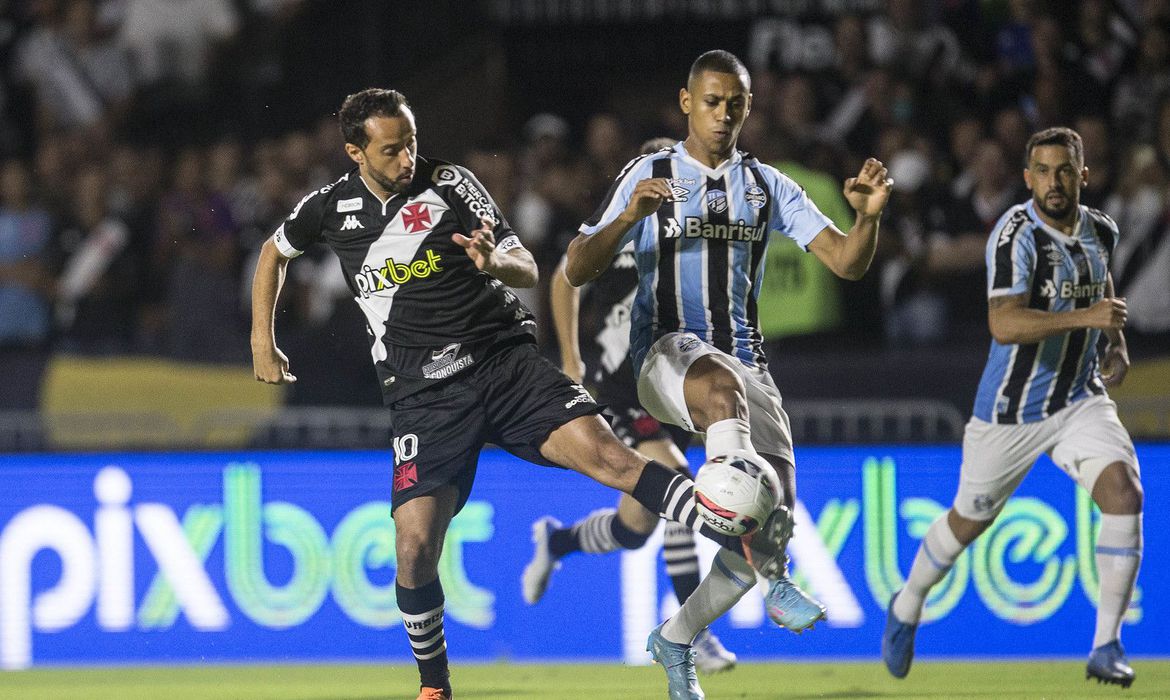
{"x":596,"y":682}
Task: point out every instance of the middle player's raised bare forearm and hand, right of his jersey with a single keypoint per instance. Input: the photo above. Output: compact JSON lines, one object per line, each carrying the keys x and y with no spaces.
{"x":849,"y":257}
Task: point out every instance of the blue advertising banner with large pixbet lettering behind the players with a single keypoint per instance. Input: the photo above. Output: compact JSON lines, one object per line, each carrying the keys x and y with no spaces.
{"x":290,"y":557}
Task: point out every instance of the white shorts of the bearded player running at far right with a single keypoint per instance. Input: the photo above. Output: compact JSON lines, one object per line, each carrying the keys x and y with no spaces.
{"x":1082,"y":440}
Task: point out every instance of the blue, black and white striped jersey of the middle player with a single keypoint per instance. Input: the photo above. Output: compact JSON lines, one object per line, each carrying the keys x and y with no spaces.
{"x":701,"y":258}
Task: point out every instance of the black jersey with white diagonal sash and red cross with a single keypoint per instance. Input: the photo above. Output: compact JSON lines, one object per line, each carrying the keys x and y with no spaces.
{"x":430,"y":313}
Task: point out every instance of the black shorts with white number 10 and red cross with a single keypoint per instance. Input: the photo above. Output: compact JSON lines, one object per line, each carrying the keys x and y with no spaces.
{"x":514,"y":399}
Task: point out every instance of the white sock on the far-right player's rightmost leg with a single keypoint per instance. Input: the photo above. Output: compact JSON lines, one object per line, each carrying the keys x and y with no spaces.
{"x":1119,"y":554}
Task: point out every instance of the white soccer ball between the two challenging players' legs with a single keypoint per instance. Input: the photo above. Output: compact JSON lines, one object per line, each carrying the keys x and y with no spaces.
{"x":735,"y":495}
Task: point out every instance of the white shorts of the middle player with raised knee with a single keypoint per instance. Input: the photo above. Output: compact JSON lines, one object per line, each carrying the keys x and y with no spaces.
{"x":660,"y":393}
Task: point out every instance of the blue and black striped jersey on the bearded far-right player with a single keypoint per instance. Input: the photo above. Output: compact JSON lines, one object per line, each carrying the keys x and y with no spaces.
{"x":1029,"y":382}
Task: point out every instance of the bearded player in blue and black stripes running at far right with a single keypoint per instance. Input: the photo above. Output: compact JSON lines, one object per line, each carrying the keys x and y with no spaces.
{"x":1044,"y":392}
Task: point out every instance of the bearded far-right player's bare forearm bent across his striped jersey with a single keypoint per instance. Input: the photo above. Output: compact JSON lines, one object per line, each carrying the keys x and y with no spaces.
{"x":1011,"y":322}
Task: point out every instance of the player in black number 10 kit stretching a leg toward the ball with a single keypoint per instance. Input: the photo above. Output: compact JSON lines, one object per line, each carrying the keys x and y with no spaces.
{"x":429,"y":258}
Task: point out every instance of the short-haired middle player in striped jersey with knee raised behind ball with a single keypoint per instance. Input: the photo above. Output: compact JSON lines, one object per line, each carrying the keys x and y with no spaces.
{"x":700,"y":216}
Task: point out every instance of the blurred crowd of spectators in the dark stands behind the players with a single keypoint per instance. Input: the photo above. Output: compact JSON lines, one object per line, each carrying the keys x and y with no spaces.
{"x":119,"y":239}
